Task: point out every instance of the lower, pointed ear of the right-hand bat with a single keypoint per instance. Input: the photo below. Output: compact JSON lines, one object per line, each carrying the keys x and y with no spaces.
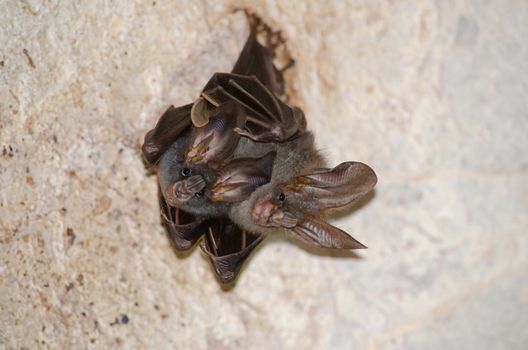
{"x":321,"y":234}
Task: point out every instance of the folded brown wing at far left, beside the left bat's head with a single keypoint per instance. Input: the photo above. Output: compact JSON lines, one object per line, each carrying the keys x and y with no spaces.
{"x":171,"y":124}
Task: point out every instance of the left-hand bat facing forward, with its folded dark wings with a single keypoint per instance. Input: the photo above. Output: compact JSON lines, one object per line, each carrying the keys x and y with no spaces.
{"x":197,"y":181}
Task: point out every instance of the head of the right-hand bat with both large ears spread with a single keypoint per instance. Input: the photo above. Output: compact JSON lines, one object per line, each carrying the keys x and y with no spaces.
{"x":297,"y":206}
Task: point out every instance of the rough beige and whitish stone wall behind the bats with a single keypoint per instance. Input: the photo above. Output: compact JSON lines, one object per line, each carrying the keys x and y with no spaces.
{"x":432,"y":94}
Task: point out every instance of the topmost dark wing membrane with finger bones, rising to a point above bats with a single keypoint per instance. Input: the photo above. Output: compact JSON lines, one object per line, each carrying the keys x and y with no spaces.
{"x":254,"y":83}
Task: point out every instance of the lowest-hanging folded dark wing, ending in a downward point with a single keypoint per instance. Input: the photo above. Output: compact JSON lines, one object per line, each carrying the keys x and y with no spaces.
{"x":228,"y":247}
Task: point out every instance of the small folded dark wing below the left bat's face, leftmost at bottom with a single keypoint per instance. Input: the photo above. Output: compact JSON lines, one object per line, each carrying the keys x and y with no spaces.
{"x":184,"y":229}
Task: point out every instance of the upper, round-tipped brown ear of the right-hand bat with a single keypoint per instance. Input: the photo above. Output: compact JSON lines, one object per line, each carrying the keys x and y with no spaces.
{"x":342,"y":185}
